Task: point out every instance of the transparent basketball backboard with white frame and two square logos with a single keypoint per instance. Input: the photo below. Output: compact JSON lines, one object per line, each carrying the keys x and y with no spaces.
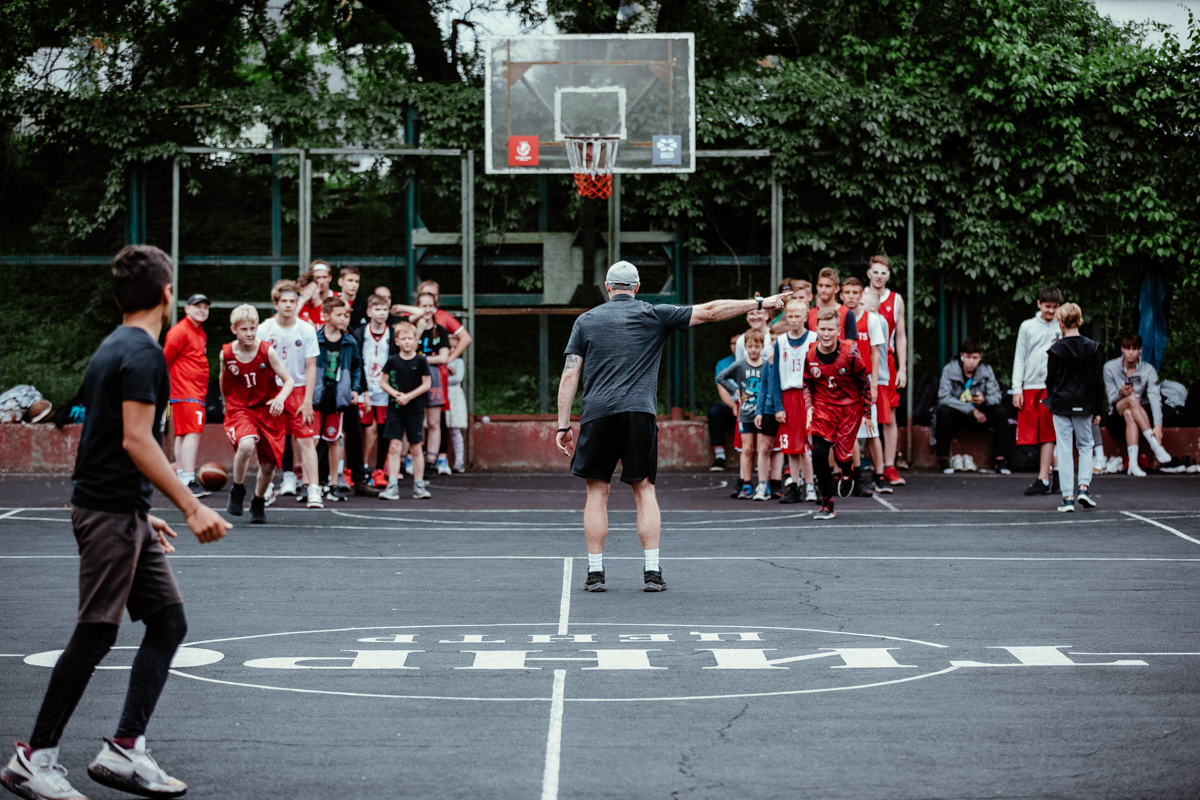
{"x":639,"y":87}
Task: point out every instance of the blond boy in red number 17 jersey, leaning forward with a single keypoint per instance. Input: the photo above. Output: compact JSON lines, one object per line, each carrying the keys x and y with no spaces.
{"x":253,"y":422}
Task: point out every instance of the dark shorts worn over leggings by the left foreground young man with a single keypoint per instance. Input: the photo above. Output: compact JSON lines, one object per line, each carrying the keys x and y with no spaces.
{"x":122,"y":566}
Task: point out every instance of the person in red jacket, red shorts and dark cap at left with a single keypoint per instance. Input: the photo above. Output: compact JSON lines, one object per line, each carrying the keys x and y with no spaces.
{"x":188,"y":363}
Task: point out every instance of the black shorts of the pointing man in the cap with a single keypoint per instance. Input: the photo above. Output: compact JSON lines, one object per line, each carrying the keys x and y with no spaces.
{"x":632,"y":438}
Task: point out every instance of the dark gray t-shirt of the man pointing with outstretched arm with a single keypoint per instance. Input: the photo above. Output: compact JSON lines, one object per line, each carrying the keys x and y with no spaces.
{"x":621,"y":344}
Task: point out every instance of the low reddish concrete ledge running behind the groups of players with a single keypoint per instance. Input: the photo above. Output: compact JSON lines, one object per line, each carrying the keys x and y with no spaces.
{"x":521,"y":444}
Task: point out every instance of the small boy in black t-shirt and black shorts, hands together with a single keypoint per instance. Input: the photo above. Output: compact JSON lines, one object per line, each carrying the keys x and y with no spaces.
{"x":406,"y":380}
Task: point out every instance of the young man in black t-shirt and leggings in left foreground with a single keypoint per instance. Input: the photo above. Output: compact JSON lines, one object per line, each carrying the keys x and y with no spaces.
{"x":123,"y":548}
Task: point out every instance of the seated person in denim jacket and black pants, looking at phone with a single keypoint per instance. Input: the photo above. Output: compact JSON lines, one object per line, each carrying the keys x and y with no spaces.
{"x":969,"y":398}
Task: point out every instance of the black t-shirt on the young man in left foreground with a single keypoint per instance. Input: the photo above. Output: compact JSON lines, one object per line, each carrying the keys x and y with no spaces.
{"x":129,"y":366}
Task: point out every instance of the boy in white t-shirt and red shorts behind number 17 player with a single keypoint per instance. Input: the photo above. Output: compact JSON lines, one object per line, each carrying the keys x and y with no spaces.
{"x":296,"y":344}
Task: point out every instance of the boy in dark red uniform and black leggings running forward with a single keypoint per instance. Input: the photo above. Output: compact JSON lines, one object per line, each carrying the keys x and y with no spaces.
{"x":838,"y":395}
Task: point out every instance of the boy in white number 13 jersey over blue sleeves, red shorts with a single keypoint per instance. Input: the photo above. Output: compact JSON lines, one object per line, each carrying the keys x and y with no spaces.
{"x":783,"y":398}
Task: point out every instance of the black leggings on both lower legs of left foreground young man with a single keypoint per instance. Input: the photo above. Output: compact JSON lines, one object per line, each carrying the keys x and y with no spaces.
{"x":89,"y":645}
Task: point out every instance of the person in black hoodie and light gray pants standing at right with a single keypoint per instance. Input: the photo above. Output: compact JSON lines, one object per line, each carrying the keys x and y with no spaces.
{"x":1076,"y":398}
